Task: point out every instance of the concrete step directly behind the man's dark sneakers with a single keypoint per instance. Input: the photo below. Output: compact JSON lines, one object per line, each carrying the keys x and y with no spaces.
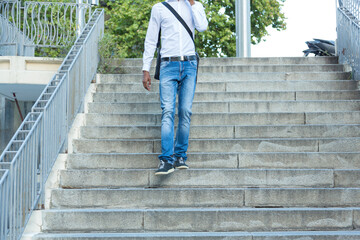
{"x":277,"y":160}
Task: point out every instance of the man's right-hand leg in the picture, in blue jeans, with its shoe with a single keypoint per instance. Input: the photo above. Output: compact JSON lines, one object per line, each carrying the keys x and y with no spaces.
{"x":186,"y":93}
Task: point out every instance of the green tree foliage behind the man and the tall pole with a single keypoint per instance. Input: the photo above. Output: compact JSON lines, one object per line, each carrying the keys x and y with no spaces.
{"x":128,"y":21}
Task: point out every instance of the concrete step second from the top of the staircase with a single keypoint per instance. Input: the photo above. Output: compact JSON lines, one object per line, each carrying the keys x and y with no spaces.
{"x":253,"y":68}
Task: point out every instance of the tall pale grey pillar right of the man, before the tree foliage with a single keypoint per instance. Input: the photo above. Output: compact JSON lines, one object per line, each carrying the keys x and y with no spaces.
{"x":243,"y":28}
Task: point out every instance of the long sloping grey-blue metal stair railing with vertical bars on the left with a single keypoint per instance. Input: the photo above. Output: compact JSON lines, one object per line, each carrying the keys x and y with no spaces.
{"x":37,"y":143}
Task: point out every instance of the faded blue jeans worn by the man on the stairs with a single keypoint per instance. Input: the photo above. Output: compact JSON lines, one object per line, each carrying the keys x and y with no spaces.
{"x":176,"y":78}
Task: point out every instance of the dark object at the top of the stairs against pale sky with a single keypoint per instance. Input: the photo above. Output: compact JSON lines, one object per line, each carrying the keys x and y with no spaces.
{"x":320,"y":47}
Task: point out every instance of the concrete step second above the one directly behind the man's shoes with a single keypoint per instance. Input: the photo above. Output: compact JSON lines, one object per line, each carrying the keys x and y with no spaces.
{"x":224,"y":132}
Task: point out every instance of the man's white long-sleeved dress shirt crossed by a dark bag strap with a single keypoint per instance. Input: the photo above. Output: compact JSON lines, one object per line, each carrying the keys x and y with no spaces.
{"x":175,"y":40}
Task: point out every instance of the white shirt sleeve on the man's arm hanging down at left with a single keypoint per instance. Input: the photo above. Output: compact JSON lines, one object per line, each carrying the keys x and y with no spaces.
{"x":151,"y":38}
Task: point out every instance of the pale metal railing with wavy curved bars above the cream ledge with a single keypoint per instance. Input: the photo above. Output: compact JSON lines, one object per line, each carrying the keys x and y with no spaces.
{"x":39,"y":24}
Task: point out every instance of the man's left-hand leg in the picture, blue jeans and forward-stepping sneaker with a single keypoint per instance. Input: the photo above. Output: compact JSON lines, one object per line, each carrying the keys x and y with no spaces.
{"x":169,"y":73}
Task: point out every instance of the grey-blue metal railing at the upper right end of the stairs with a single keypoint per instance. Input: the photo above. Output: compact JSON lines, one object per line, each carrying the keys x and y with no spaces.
{"x":348,"y":32}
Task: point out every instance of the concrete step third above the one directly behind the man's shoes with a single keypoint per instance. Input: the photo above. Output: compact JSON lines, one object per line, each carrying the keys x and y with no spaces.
{"x":244,"y":119}
